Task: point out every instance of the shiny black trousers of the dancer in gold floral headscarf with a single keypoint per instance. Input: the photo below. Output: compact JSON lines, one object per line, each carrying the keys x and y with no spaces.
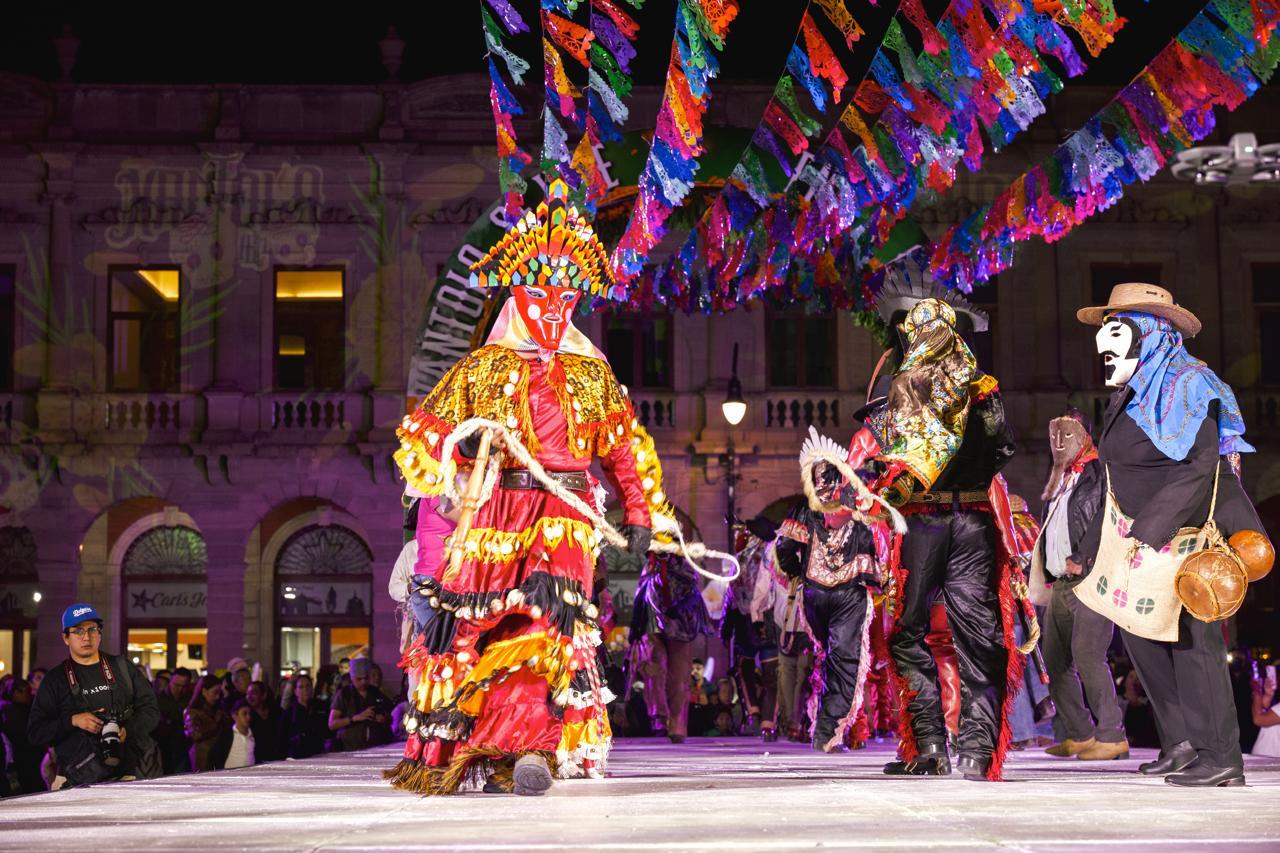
{"x":953,"y":553}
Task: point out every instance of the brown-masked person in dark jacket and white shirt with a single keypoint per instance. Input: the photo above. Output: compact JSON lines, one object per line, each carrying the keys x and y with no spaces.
{"x":1076,"y":640}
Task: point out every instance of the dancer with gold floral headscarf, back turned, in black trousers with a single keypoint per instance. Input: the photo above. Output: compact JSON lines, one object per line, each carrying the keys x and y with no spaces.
{"x":941,"y":443}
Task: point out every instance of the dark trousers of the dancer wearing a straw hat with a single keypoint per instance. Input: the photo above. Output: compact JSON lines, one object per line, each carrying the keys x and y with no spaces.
{"x":1190,"y":688}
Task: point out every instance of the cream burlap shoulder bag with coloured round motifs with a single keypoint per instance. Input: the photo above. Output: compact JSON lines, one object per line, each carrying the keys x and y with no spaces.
{"x":1132,"y":585}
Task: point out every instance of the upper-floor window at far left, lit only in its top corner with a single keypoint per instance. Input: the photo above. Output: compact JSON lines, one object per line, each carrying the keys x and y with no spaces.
{"x":143,"y":330}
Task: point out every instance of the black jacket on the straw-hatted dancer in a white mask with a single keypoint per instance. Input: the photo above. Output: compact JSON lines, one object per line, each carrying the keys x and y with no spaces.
{"x":1163,"y":495}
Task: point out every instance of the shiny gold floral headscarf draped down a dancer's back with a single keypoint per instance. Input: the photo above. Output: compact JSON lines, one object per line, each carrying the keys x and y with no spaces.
{"x":929,"y":402}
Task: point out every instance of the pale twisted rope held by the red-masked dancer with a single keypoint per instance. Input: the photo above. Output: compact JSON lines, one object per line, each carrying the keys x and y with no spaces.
{"x":511,"y":444}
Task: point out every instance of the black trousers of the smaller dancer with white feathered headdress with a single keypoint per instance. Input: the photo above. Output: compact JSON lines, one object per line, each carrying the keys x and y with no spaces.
{"x":836,"y":617}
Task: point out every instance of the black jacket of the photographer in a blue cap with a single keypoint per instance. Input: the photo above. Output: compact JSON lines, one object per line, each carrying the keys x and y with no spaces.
{"x":56,"y":704}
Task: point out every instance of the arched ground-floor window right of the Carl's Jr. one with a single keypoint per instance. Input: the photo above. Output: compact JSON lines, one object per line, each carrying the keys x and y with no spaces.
{"x":324,"y":597}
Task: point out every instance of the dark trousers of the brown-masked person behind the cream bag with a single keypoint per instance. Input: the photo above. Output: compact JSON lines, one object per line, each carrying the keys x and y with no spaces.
{"x":1076,"y":645}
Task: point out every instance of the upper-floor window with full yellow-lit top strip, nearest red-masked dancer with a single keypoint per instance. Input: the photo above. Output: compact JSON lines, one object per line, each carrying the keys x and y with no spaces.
{"x":310,"y":330}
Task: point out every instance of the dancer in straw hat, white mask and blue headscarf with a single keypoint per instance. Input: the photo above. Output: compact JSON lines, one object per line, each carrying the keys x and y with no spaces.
{"x":1167,"y":443}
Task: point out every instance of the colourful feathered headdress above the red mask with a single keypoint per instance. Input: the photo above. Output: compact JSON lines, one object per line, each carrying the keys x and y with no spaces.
{"x":550,"y":245}
